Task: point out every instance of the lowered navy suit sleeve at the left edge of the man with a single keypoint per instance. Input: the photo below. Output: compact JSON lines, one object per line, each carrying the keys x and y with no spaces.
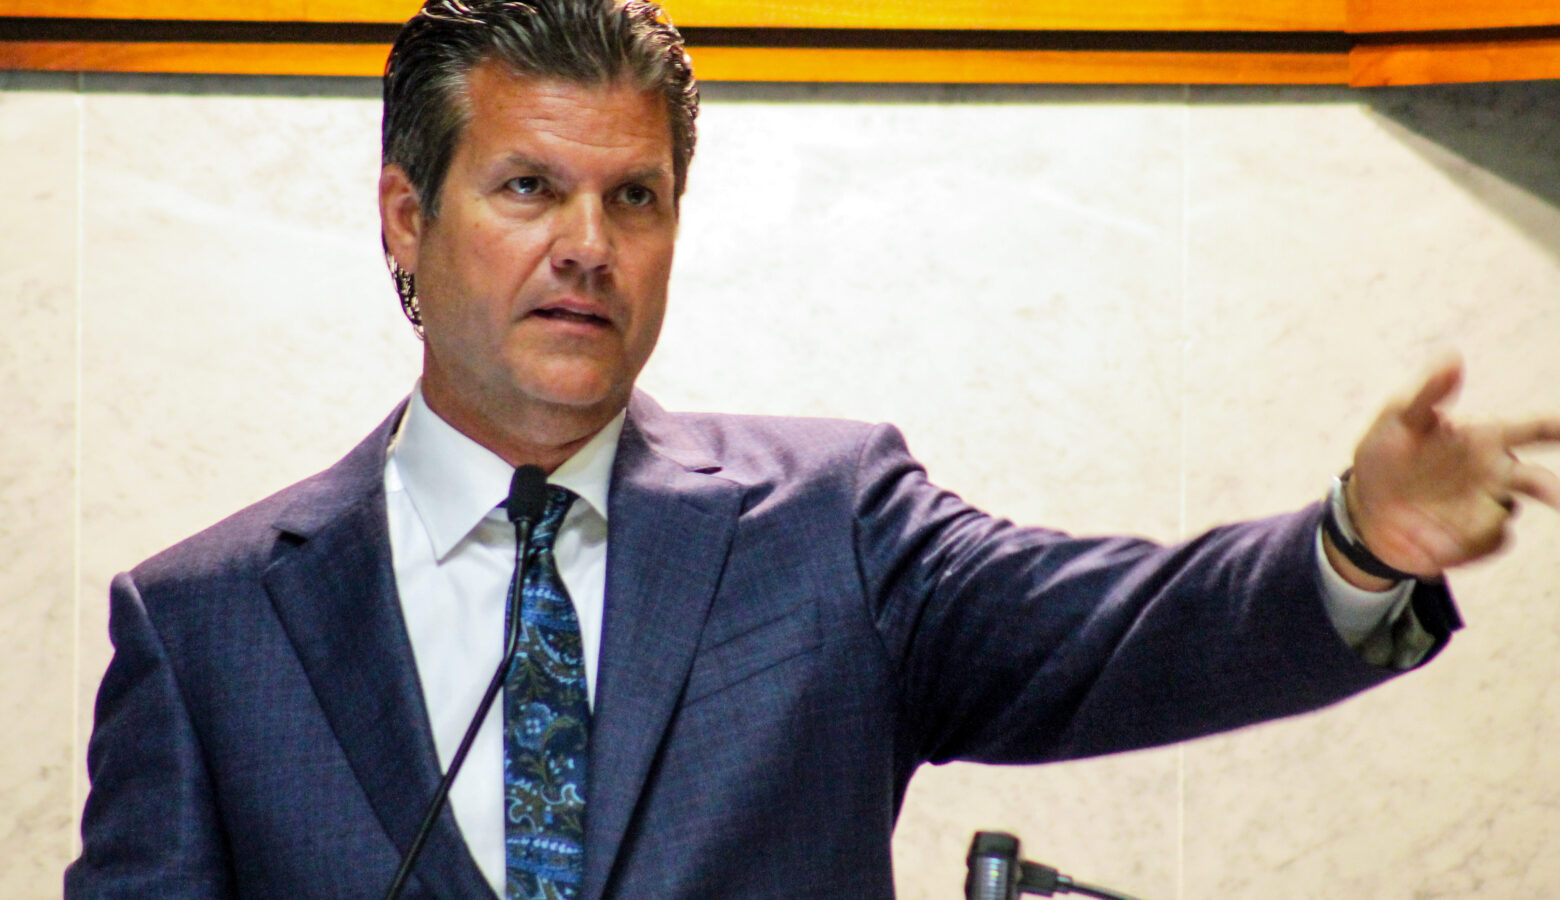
{"x":151,"y":827}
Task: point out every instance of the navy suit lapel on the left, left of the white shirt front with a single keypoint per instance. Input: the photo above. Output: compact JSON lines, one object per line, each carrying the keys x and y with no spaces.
{"x":333,"y":587}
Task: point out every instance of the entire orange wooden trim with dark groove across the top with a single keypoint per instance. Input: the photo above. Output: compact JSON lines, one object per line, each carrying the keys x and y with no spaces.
{"x":1416,"y":58}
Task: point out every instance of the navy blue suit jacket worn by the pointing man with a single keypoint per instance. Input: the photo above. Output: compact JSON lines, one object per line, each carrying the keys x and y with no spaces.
{"x":796,"y":620}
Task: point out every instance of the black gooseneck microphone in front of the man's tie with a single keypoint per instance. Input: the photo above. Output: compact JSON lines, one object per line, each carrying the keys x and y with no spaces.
{"x":528,"y":498}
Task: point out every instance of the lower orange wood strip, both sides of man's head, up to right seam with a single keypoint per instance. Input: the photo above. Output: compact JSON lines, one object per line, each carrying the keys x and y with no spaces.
{"x":731,"y":63}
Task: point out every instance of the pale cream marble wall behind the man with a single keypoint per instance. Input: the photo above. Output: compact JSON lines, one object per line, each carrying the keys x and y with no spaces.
{"x":1104,"y":310}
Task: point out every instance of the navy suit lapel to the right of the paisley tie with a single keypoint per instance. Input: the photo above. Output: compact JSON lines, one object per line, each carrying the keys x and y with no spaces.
{"x":670,"y":528}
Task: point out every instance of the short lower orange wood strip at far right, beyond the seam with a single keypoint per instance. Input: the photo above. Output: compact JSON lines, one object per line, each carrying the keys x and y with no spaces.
{"x":1455,"y":63}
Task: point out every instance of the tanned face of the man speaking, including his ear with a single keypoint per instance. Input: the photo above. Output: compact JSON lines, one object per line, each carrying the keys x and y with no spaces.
{"x":544,"y":278}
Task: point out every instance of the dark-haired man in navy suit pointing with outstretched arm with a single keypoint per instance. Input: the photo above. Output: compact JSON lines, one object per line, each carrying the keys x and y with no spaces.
{"x":775,"y":622}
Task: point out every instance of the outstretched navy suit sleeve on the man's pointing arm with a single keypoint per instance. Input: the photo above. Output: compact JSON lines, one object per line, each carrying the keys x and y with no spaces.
{"x":1019,"y":645}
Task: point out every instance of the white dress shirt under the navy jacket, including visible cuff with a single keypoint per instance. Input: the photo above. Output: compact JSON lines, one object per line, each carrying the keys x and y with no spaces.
{"x":455,"y":556}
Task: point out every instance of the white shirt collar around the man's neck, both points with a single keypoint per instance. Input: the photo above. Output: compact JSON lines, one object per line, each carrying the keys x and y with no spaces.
{"x":455,"y":483}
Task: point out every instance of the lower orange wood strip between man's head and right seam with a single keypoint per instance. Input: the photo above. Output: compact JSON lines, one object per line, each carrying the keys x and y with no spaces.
{"x":1016,"y":66}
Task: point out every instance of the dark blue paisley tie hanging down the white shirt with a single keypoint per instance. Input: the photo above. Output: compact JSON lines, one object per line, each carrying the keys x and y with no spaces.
{"x":547,"y":725}
